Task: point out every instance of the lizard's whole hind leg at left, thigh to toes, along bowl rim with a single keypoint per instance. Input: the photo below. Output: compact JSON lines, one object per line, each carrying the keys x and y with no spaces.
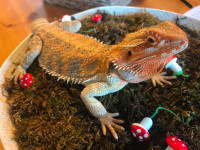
{"x":35,"y":46}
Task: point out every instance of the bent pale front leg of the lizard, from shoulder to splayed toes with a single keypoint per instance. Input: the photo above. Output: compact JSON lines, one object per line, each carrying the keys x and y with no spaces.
{"x":97,"y":109}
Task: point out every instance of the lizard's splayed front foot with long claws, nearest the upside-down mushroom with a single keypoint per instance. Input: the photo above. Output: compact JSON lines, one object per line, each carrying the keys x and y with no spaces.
{"x":108,"y":121}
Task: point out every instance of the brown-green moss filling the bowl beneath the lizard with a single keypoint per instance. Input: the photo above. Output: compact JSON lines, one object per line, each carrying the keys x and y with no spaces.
{"x":50,"y":114}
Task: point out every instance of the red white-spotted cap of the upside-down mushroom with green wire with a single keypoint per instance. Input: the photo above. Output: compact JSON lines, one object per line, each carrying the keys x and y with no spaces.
{"x":139,"y":132}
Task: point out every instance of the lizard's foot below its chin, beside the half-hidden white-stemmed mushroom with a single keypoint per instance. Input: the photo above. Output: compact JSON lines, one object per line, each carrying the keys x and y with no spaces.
{"x":160,"y":79}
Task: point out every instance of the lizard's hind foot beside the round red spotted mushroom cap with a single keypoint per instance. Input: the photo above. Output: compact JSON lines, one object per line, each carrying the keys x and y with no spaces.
{"x":18,"y":74}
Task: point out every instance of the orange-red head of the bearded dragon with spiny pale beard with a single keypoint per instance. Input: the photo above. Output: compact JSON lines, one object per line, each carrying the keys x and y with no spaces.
{"x":145,"y":53}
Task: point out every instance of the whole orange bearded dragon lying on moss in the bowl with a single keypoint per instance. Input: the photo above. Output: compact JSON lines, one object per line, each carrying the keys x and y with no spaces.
{"x":103,"y":69}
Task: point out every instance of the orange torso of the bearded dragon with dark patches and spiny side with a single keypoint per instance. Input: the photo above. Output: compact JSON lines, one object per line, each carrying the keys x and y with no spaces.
{"x":69,"y":56}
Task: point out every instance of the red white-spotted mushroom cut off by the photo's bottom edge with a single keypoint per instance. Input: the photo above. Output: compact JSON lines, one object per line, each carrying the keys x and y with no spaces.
{"x":175,"y":143}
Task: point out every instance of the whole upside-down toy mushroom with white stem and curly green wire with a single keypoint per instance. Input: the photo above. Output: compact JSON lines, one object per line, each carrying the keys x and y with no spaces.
{"x":140,"y":130}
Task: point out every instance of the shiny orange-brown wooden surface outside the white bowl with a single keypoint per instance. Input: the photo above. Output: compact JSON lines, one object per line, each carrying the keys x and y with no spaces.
{"x":17,"y":15}
